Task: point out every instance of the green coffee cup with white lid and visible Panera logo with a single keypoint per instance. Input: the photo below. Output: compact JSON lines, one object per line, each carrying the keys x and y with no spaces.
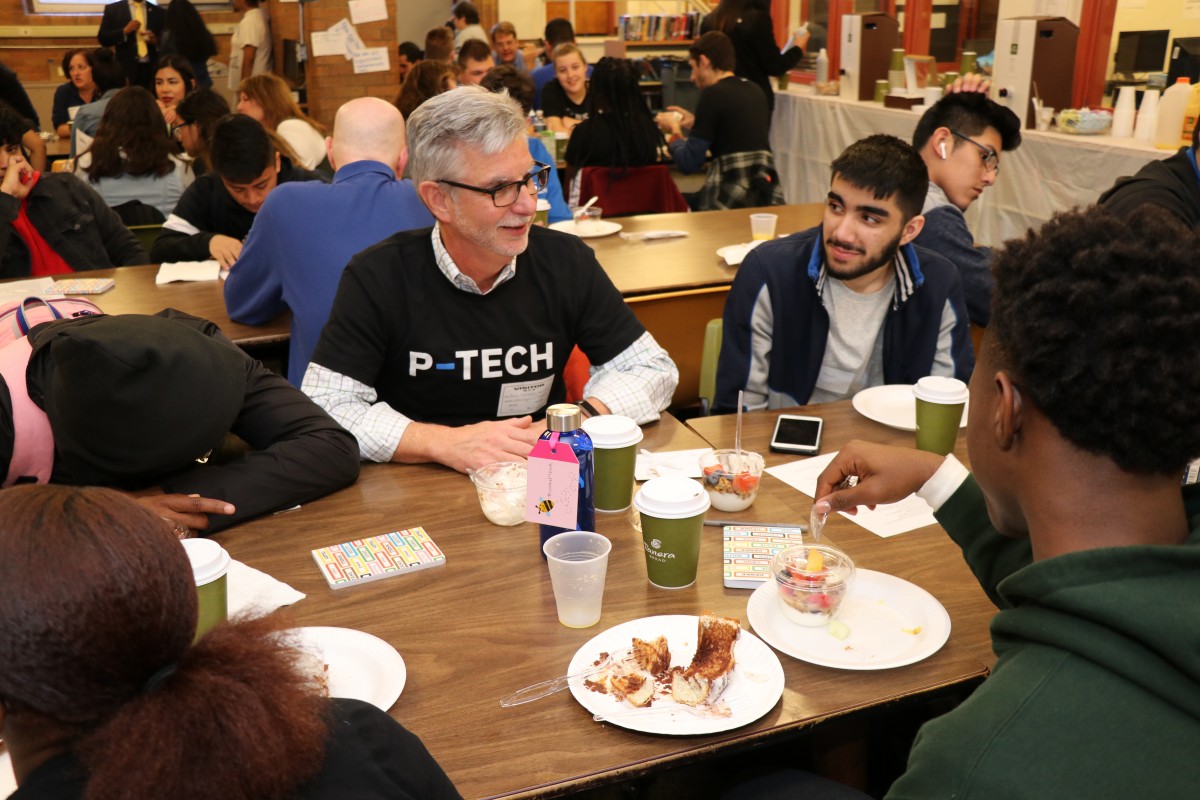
{"x":673,"y":512}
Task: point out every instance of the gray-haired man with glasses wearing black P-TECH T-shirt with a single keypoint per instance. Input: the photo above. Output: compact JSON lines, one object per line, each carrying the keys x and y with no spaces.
{"x":446,"y":344}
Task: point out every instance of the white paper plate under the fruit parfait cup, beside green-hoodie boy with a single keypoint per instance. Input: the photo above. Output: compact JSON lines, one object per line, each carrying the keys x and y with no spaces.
{"x":881,"y":612}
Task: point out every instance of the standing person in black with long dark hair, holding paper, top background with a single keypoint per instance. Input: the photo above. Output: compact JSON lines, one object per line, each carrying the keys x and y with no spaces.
{"x":749,"y":27}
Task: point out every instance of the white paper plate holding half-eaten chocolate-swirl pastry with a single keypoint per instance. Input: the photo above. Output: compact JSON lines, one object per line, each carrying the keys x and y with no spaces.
{"x":754,"y":690}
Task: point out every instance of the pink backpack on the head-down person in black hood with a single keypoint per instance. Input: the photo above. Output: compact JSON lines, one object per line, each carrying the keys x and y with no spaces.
{"x":33,"y":447}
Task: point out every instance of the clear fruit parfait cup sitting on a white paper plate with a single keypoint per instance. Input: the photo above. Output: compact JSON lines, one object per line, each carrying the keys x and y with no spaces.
{"x":812,"y":581}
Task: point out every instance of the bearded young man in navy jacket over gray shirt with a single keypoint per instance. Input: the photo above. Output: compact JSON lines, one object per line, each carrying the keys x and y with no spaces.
{"x":851,"y":304}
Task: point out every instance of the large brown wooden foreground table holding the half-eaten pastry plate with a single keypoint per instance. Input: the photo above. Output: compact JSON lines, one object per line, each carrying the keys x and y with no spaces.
{"x":484,"y":625}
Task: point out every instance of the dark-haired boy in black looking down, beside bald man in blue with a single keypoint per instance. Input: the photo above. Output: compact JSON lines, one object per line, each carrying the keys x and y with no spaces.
{"x":217,"y":212}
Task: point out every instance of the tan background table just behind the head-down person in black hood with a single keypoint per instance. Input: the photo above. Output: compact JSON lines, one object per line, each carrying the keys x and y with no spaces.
{"x":136,"y":293}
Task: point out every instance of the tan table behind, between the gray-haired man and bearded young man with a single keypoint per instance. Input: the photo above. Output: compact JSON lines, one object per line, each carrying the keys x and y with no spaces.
{"x":676,"y":286}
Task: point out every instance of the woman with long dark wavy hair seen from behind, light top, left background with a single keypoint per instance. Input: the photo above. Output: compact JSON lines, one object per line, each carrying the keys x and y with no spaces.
{"x":131,"y":159}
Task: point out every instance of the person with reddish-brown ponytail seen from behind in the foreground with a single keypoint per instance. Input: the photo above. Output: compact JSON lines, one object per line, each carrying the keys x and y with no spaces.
{"x":105,"y":695}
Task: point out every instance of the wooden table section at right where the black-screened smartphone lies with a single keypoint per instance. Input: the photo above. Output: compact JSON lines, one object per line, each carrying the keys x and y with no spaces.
{"x":926,"y":557}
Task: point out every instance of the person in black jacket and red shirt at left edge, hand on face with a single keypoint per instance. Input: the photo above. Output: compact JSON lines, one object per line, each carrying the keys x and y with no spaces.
{"x":53,"y":222}
